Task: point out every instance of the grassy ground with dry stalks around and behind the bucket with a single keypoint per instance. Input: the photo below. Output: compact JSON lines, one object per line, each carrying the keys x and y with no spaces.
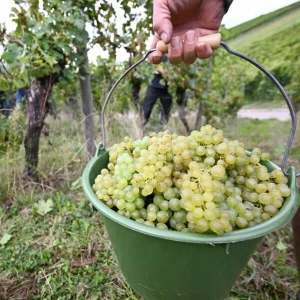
{"x":65,"y":253}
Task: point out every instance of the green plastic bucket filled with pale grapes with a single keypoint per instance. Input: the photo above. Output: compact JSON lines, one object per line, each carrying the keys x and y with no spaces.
{"x":168,"y":265}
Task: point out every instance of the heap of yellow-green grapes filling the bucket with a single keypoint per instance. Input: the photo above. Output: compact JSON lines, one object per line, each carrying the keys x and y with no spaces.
{"x":197,"y":183}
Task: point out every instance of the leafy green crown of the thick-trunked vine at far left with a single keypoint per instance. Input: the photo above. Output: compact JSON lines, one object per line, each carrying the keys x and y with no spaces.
{"x":42,"y":44}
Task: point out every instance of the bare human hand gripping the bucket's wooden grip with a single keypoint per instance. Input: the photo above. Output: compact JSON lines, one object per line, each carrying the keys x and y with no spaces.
{"x":179,"y":23}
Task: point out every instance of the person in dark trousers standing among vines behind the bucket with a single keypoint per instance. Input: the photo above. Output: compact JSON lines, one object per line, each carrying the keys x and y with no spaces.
{"x":158,"y":88}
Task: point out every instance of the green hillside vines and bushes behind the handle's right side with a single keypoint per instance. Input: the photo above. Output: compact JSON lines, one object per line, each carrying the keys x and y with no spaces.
{"x":278,"y":54}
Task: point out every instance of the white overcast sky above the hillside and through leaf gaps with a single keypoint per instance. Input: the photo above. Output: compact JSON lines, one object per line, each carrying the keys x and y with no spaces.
{"x":240,"y":11}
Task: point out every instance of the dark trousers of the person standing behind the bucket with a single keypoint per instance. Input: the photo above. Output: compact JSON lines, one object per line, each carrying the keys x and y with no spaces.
{"x":165,"y":98}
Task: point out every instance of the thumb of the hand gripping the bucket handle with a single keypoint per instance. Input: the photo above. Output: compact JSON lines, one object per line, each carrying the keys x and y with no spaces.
{"x":162,"y":21}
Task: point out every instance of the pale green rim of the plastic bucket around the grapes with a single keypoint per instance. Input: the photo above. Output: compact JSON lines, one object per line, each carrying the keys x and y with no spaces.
{"x":285,"y":214}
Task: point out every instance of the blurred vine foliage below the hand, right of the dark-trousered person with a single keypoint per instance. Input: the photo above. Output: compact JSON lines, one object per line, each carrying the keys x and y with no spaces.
{"x":204,"y":81}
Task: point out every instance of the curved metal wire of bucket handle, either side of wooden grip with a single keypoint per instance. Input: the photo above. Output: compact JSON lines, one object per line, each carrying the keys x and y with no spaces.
{"x":240,"y":55}
